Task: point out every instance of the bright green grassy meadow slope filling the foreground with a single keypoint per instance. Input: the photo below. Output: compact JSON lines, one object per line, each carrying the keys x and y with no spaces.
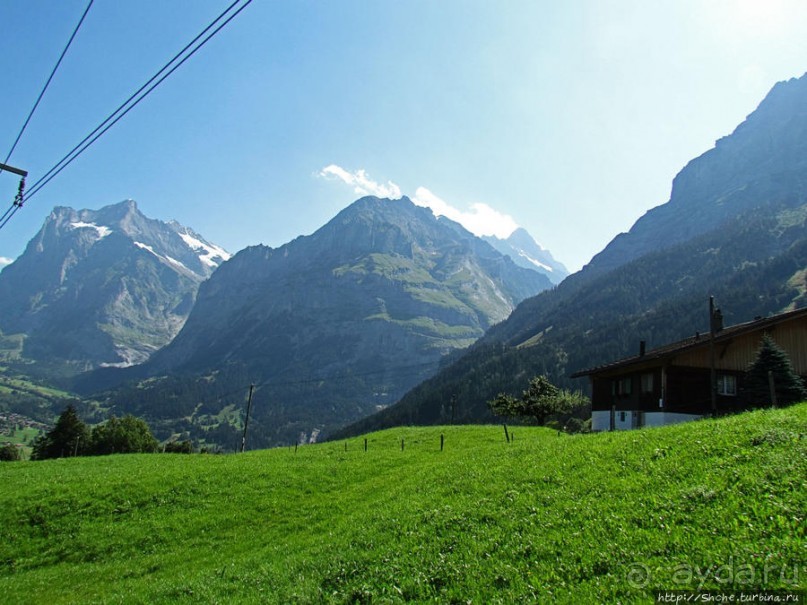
{"x":582,"y":519}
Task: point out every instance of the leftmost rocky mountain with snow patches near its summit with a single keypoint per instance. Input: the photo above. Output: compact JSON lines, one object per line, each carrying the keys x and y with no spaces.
{"x":102,"y":287}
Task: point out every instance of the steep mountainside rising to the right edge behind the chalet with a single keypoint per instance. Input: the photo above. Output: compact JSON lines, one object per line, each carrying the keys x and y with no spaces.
{"x":735,"y":227}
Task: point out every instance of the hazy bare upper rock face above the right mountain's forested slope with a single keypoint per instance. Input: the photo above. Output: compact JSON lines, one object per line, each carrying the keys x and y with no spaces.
{"x":762,"y":163}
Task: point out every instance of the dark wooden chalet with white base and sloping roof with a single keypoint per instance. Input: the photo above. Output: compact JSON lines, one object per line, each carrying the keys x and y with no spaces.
{"x":674,"y":383}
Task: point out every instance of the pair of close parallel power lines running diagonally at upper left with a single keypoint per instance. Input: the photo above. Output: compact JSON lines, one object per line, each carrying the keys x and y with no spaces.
{"x":132,"y":102}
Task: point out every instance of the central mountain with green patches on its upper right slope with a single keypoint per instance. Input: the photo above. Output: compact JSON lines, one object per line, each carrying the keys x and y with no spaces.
{"x":330,"y":326}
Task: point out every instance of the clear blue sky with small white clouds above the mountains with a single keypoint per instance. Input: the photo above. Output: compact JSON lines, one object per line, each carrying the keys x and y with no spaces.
{"x":569,"y":118}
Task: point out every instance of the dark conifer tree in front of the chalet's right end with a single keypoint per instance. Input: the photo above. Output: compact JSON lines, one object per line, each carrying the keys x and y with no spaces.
{"x":772,"y":359}
